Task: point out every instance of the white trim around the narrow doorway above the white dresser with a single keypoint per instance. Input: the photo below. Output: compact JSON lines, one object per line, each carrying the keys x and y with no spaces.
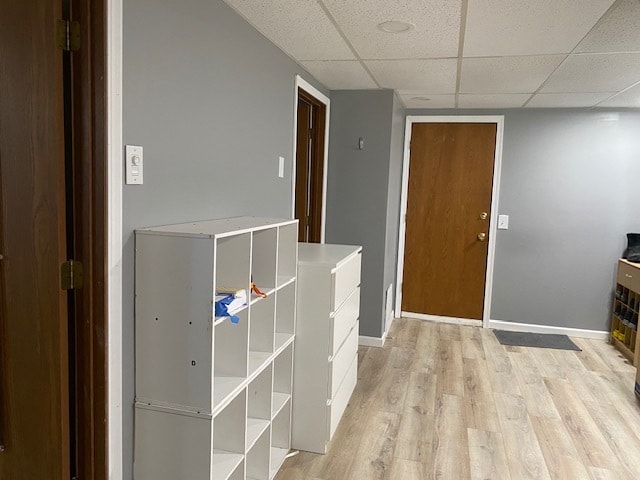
{"x":300,"y":82}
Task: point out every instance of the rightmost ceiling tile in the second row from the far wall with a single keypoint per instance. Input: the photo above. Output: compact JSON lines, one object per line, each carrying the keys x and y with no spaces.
{"x":604,"y":72}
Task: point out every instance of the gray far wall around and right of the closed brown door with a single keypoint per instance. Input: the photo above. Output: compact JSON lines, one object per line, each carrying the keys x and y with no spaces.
{"x":570,"y":186}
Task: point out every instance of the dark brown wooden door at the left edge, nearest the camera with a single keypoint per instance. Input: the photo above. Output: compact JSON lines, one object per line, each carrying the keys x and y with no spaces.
{"x":33,"y":324}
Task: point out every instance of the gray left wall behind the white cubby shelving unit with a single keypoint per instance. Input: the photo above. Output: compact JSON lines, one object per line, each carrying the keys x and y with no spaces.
{"x":211,"y":102}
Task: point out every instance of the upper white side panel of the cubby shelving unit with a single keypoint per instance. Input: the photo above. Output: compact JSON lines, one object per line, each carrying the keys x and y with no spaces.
{"x":174,"y":293}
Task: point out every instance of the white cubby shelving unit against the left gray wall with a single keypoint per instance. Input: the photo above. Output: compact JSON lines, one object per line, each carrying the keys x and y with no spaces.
{"x":213,"y":397}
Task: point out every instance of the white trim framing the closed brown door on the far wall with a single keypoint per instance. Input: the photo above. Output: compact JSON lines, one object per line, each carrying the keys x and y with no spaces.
{"x":493,"y":223}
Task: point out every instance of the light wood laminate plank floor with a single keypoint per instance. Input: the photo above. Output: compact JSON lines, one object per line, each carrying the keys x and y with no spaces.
{"x":449,"y":402}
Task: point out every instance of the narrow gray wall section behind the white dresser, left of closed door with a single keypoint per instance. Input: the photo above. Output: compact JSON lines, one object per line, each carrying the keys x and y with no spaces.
{"x":358,"y":185}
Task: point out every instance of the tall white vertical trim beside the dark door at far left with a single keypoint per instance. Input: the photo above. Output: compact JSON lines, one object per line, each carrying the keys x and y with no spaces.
{"x":114,"y":238}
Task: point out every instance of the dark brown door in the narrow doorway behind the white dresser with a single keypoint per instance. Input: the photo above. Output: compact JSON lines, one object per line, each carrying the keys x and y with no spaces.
{"x":309,"y":167}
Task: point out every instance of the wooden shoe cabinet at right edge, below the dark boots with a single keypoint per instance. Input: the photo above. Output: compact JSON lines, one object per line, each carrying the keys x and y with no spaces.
{"x":626,"y":304}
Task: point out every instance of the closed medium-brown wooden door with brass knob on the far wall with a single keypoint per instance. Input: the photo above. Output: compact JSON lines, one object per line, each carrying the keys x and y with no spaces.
{"x":450,"y":184}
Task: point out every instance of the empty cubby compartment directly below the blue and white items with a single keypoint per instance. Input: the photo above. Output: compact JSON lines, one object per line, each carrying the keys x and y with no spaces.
{"x":230,"y":357}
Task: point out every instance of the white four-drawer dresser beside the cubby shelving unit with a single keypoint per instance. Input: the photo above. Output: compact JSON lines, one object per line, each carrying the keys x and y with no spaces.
{"x":326,"y":352}
